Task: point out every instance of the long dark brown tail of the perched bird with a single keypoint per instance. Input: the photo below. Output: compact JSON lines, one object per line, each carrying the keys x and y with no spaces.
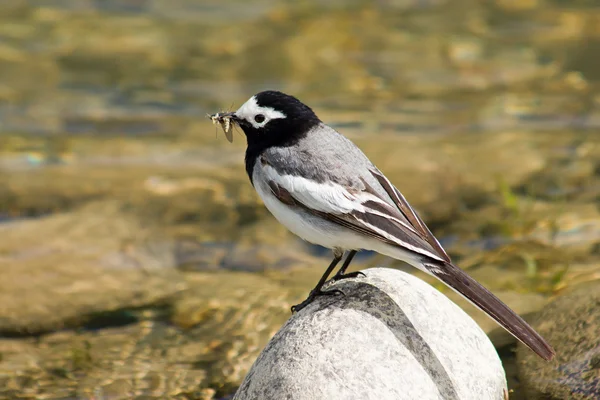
{"x":483,"y":299}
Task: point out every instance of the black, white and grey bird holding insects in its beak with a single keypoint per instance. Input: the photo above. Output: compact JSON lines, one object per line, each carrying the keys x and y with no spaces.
{"x":323,"y":188}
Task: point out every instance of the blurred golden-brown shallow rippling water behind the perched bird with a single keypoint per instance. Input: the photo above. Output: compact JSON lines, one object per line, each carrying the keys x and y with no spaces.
{"x":136,"y":260}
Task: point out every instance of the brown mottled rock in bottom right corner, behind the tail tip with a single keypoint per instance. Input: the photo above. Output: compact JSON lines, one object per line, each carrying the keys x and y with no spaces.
{"x":571,"y":323}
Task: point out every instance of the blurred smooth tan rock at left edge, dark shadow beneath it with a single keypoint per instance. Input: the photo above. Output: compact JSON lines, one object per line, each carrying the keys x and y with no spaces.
{"x":62,"y":270}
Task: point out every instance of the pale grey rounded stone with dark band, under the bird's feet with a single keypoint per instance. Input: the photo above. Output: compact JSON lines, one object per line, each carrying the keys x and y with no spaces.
{"x":391,"y":336}
